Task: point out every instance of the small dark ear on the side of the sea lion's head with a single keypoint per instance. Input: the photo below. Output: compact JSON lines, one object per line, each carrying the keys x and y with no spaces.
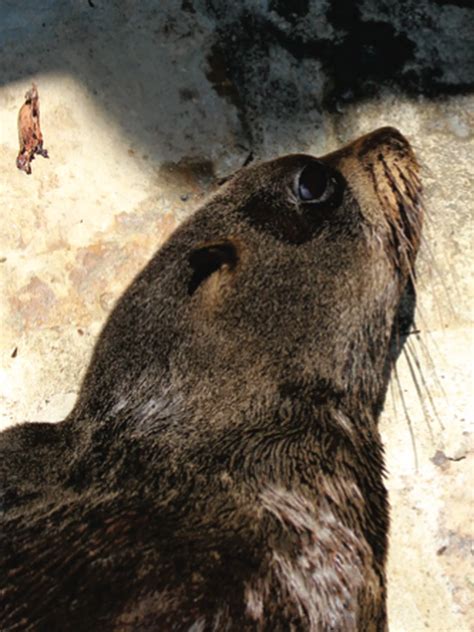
{"x":208,"y":258}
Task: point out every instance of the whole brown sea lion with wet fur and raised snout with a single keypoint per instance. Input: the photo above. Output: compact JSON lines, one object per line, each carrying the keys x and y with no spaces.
{"x":222,"y":468}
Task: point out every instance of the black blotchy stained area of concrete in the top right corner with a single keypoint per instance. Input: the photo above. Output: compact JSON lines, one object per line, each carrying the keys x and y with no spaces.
{"x":356,"y":48}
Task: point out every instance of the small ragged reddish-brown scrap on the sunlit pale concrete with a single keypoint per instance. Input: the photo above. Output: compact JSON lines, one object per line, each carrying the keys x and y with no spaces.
{"x":29,"y":131}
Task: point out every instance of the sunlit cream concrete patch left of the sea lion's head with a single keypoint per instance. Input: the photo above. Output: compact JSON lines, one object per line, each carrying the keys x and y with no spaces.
{"x":73,"y":235}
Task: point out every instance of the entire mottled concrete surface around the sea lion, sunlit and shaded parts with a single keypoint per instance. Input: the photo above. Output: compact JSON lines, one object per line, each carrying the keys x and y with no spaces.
{"x":143,"y":105}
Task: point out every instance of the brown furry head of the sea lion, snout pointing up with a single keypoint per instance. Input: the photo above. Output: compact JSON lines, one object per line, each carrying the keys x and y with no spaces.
{"x":289,"y":277}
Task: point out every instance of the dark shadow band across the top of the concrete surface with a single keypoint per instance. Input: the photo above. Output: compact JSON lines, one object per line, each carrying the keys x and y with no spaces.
{"x":163,"y":70}
